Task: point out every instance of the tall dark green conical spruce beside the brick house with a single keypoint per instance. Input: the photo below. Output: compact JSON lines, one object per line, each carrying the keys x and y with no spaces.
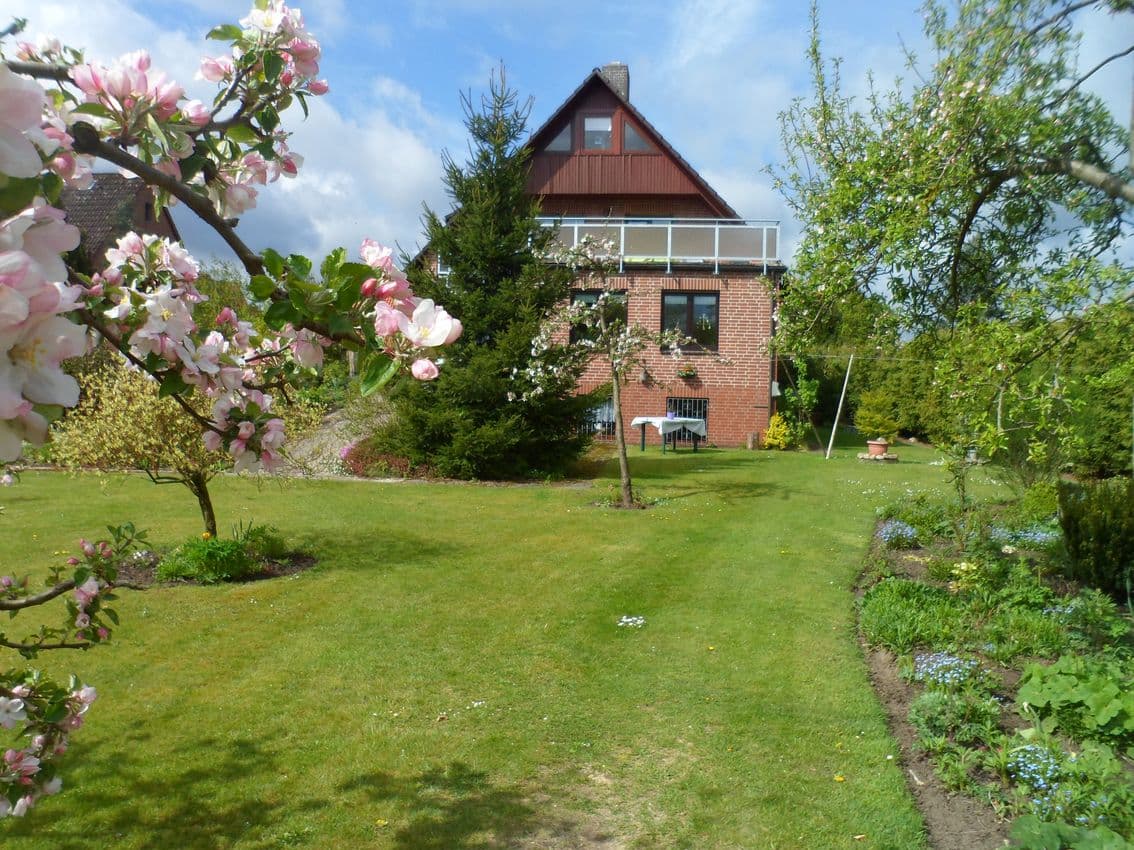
{"x":470,"y":423}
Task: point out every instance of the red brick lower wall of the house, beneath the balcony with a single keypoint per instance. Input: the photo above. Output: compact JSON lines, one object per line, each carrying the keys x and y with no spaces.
{"x":739,"y":392}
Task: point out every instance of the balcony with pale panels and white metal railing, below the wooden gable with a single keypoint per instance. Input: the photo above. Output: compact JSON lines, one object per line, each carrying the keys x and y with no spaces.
{"x":679,"y":242}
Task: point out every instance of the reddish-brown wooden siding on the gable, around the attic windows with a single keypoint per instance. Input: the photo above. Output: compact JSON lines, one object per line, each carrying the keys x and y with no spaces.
{"x":611,"y":173}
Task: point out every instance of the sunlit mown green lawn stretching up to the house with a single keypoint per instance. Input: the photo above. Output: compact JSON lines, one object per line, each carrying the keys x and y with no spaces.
{"x":452,"y":675}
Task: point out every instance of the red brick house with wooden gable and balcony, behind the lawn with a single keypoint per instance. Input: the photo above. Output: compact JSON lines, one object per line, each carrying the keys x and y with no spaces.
{"x":687,"y":259}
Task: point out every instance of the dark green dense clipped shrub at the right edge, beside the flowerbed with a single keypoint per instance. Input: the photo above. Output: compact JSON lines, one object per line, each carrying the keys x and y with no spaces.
{"x":1098,"y":526}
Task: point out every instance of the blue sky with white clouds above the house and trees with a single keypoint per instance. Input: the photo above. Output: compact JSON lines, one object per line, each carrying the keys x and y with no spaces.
{"x":712,"y":75}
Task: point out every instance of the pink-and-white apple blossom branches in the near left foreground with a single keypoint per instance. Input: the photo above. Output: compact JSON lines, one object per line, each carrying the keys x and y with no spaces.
{"x":60,"y":114}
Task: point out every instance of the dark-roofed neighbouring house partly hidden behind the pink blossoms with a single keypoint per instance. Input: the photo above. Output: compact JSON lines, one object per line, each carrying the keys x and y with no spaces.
{"x":108,"y":210}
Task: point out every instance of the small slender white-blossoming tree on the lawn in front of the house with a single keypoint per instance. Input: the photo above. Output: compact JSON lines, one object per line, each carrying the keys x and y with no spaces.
{"x":605,"y":333}
